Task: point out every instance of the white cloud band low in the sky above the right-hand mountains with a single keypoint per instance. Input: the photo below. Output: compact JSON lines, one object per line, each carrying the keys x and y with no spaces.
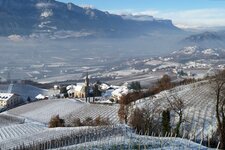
{"x":188,"y":18}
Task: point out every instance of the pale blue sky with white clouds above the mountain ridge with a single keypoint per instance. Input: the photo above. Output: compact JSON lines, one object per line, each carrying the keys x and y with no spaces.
{"x":183,"y":13}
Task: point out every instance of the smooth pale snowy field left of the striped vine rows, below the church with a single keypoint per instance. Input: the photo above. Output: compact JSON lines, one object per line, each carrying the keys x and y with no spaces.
{"x":42,"y":111}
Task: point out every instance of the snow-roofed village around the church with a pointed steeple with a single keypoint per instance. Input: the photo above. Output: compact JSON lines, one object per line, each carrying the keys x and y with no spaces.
{"x":18,"y":94}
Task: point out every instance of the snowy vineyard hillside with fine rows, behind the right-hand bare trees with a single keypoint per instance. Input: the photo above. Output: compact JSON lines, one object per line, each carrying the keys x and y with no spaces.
{"x":199,"y":114}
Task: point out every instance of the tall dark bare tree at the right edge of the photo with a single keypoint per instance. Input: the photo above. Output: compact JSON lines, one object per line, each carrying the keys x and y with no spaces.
{"x":218,"y":85}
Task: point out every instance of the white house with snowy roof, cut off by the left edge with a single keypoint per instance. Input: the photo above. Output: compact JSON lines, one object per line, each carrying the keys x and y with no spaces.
{"x":9,"y":100}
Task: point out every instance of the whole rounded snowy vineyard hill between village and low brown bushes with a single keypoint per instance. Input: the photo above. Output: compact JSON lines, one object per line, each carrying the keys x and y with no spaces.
{"x":42,"y":111}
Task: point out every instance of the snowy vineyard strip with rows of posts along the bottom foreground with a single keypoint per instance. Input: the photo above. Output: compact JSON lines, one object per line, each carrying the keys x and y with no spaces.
{"x":113,"y":137}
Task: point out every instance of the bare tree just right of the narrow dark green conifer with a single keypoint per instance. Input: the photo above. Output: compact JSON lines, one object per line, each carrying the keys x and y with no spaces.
{"x":177,"y":105}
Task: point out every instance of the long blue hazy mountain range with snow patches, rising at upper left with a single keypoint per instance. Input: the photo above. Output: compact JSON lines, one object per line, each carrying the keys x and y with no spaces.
{"x":34,"y":17}
